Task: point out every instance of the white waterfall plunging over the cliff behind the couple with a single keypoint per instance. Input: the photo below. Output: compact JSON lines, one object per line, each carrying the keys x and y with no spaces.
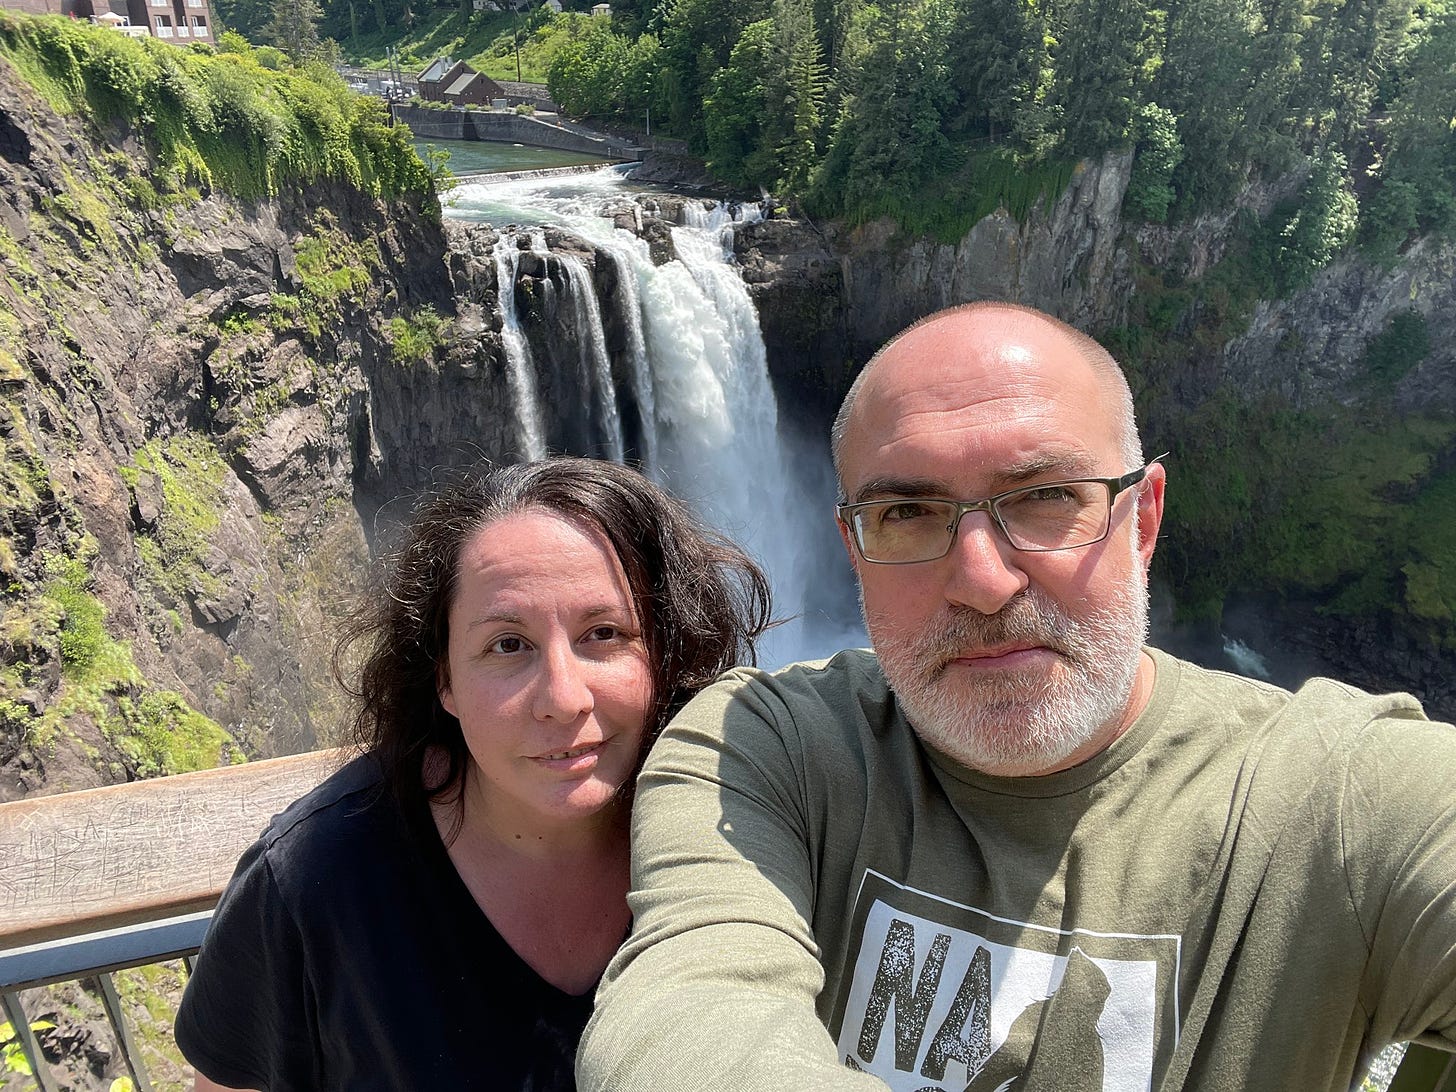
{"x":701,"y":379}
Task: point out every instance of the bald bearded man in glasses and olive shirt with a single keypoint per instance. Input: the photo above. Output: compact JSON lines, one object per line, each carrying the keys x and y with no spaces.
{"x":1017,"y":850}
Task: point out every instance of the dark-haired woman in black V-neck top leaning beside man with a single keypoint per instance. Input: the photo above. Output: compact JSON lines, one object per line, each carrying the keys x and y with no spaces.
{"x":438,"y":915}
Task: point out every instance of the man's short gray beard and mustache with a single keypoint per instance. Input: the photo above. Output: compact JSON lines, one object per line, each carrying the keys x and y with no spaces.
{"x":1020,"y":723}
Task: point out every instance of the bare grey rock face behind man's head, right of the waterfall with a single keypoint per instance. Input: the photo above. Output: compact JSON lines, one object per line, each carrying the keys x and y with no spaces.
{"x":829,"y":298}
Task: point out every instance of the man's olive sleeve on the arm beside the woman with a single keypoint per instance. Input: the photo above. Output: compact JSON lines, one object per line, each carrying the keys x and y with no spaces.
{"x":717,"y":986}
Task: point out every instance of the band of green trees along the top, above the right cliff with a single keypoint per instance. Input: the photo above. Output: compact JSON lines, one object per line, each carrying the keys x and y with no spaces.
{"x":935,"y":111}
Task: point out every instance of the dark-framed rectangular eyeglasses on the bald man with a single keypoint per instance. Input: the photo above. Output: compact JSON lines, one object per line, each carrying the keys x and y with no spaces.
{"x":1045,"y":518}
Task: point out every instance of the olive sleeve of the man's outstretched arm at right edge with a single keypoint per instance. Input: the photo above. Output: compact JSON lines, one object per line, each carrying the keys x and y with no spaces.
{"x":1398,"y":834}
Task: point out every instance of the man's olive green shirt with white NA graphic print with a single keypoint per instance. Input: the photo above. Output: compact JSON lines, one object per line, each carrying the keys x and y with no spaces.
{"x":1249,"y":890}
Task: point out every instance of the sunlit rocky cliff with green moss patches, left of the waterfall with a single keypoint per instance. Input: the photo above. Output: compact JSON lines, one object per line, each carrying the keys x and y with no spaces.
{"x":203,"y":405}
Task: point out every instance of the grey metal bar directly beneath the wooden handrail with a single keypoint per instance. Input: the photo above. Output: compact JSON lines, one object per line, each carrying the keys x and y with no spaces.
{"x":111,"y":950}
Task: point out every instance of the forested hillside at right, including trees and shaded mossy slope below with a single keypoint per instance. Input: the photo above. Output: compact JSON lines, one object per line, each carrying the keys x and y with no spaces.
{"x":1283,"y":151}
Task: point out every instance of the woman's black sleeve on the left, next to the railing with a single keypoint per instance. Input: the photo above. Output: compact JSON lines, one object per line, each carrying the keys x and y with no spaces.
{"x":248,"y":1017}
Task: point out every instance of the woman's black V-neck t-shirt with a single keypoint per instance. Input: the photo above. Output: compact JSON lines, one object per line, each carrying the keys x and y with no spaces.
{"x":349,"y":954}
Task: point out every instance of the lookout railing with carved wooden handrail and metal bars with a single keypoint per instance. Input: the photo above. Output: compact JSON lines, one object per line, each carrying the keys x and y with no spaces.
{"x":106,"y":880}
